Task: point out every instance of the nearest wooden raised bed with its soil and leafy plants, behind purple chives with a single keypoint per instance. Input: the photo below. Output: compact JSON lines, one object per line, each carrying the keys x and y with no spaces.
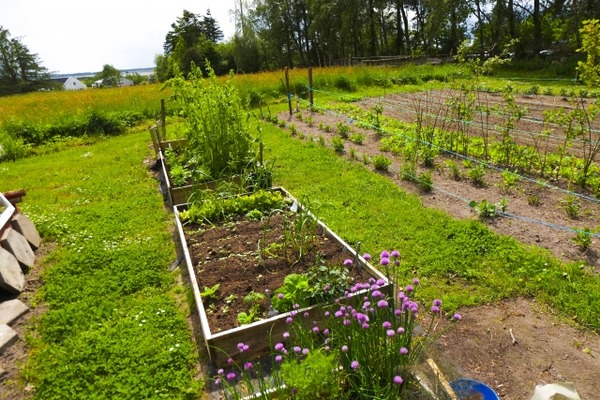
{"x":277,"y":249}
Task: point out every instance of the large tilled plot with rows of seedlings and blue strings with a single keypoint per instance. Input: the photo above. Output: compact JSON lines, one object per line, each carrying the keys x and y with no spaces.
{"x":548,"y":211}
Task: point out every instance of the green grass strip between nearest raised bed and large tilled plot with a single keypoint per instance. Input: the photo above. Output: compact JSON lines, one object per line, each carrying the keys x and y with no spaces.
{"x":464,"y":260}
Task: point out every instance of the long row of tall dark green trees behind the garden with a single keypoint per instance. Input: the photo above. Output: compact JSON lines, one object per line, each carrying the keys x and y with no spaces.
{"x":271,"y":34}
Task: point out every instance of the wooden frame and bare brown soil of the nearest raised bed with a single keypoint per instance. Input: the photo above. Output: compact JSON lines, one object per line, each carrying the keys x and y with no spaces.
{"x":243,"y":257}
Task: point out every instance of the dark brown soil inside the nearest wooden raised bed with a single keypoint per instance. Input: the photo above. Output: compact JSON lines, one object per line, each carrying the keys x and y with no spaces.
{"x":244,"y":256}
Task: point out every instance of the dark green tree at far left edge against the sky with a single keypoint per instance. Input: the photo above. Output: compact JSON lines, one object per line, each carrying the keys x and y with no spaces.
{"x":20,"y":70}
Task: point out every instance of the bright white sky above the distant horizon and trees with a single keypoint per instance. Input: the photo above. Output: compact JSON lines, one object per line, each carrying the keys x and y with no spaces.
{"x":72,"y":36}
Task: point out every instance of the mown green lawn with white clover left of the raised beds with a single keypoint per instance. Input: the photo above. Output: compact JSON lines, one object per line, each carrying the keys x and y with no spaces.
{"x":114,"y":326}
